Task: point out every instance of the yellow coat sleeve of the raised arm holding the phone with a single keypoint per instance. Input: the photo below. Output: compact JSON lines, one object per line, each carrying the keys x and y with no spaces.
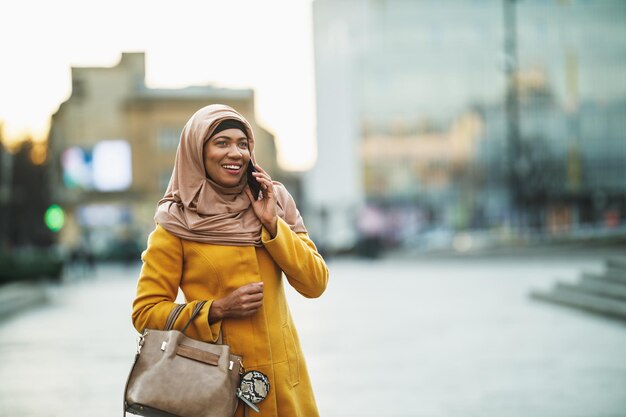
{"x":299,"y":259}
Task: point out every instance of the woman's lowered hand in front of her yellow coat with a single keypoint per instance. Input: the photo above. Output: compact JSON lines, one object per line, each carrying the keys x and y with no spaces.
{"x":242,"y":302}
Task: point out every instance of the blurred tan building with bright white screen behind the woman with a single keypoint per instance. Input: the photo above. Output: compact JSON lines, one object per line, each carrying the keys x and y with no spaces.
{"x":113,"y":143}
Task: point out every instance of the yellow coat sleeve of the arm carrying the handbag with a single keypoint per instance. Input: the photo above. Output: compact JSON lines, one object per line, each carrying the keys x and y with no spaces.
{"x":157,"y":290}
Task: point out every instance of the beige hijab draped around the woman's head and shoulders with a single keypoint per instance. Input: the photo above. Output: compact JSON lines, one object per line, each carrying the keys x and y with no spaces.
{"x":196,"y":208}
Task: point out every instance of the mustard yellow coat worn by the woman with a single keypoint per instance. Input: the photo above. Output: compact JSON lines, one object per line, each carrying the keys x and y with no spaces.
{"x":267,"y":340}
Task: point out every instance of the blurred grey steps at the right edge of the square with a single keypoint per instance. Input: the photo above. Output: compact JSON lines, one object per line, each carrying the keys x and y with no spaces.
{"x":600,"y":293}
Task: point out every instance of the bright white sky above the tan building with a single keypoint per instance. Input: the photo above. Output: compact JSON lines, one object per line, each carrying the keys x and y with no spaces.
{"x":266,"y":45}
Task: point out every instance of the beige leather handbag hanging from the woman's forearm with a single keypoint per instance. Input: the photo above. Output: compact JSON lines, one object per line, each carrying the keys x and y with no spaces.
{"x":174,"y":375}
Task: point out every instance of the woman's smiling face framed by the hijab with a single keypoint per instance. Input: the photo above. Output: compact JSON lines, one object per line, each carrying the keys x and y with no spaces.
{"x":226,"y":157}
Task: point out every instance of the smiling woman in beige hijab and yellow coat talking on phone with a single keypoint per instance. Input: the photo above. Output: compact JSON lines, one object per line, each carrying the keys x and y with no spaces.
{"x":219,"y":243}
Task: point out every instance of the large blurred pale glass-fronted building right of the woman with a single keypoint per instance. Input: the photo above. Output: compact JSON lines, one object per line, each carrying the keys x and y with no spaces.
{"x":405,"y":90}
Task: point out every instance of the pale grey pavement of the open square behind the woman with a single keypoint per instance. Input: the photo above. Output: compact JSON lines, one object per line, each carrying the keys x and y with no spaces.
{"x":422,"y":337}
